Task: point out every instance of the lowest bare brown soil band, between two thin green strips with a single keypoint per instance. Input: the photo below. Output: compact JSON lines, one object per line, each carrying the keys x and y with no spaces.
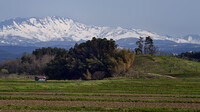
{"x":99,"y":104}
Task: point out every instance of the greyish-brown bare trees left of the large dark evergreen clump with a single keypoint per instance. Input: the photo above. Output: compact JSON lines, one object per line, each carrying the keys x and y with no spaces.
{"x":31,"y":64}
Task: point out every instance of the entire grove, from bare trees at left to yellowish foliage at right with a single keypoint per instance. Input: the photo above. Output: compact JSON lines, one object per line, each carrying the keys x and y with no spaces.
{"x":93,"y":59}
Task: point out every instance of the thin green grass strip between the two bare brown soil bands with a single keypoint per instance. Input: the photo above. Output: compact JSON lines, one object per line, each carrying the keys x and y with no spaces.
{"x":95,"y":99}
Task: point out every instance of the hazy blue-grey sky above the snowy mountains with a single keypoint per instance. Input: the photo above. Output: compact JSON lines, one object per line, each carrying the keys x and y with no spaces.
{"x":165,"y":17}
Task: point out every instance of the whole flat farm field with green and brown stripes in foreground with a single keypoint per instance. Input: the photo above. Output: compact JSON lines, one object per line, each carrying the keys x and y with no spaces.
{"x":138,"y":95}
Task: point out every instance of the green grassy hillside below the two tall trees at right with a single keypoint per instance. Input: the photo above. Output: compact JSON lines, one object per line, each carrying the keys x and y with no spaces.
{"x":165,"y":65}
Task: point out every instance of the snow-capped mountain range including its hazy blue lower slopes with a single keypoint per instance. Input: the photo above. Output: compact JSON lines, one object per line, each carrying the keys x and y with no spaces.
{"x":65,"y":32}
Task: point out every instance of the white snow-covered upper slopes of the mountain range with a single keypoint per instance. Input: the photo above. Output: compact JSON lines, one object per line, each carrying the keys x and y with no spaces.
{"x":34,"y":30}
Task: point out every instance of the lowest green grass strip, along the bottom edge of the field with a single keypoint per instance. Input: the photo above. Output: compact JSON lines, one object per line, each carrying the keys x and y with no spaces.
{"x":84,"y":108}
